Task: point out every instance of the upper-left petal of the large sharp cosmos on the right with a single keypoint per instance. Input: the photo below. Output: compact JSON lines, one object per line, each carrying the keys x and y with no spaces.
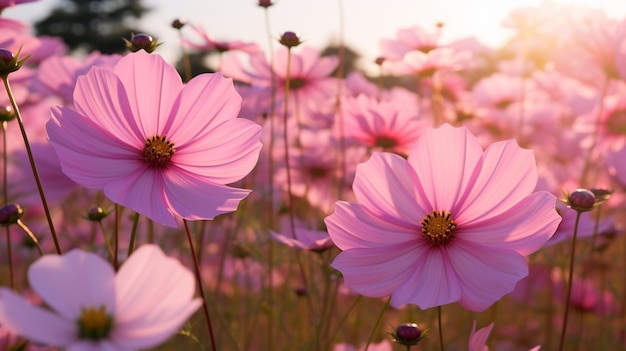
{"x":387,"y":184}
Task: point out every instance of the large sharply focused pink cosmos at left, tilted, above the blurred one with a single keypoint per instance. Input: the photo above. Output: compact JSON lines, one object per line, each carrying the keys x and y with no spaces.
{"x":161,"y":148}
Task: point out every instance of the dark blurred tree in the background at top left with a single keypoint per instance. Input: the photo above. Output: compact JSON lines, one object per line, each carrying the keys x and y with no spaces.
{"x":93,"y":24}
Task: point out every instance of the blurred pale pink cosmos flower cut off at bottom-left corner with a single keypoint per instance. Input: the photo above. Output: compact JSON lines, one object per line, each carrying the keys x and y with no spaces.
{"x":93,"y":308}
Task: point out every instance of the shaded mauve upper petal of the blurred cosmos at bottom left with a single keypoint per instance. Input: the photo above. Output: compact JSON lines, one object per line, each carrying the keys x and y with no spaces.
{"x":72,"y":281}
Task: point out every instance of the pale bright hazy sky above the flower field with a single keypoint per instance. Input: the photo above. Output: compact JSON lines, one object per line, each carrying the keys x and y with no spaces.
{"x":366,"y":22}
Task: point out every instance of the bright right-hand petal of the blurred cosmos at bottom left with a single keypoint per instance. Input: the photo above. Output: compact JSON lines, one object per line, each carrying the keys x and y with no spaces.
{"x":156,"y":294}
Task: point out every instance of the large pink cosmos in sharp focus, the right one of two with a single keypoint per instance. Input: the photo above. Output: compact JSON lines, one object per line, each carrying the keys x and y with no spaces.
{"x":451,"y":223}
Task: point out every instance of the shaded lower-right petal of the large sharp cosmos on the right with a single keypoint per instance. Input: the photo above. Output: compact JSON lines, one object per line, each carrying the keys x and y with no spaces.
{"x":485,"y":274}
